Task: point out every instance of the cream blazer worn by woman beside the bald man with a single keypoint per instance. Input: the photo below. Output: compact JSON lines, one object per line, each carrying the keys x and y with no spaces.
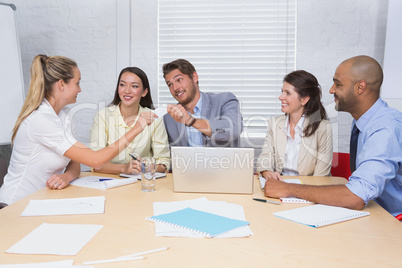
{"x":315,"y":154}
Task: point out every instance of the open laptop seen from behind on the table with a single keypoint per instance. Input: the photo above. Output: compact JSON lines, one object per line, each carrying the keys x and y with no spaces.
{"x":213,"y":170}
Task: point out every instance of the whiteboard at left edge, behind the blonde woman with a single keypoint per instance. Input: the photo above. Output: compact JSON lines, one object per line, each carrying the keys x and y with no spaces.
{"x":12,"y":92}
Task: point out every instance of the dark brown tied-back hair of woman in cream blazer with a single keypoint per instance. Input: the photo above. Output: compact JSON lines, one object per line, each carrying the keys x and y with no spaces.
{"x":306,"y":85}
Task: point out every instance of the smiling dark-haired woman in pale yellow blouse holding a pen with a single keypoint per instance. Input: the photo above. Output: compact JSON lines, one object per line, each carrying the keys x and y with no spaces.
{"x":132,"y":97}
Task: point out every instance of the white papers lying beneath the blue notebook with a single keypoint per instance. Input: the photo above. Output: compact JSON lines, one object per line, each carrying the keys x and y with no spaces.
{"x":221,"y":208}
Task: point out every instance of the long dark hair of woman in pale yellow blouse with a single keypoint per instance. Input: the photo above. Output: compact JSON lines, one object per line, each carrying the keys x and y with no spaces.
{"x":145,"y":101}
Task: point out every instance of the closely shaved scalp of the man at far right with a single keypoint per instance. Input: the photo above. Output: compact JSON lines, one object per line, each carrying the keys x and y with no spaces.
{"x":367,"y":69}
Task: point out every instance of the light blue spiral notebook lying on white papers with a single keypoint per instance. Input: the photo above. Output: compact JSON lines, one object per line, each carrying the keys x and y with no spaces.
{"x":207,"y":224}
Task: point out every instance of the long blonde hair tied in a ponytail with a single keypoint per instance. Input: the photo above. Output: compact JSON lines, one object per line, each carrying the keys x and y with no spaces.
{"x":45,"y":72}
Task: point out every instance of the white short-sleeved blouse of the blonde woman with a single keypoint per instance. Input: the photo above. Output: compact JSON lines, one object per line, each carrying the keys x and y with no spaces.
{"x":38,"y":152}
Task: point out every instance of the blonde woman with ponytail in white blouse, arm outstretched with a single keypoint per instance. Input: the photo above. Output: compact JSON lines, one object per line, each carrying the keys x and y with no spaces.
{"x":45,"y":153}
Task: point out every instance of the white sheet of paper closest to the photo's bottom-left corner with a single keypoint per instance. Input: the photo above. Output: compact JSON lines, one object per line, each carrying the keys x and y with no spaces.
{"x":56,"y":239}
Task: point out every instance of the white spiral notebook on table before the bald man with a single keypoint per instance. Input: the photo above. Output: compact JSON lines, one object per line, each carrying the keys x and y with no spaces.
{"x":320,"y":215}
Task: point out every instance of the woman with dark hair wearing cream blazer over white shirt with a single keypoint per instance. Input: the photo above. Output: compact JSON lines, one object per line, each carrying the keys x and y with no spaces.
{"x":300,"y":141}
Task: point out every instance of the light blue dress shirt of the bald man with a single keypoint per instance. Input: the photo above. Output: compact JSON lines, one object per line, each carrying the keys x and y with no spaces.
{"x":378,"y":174}
